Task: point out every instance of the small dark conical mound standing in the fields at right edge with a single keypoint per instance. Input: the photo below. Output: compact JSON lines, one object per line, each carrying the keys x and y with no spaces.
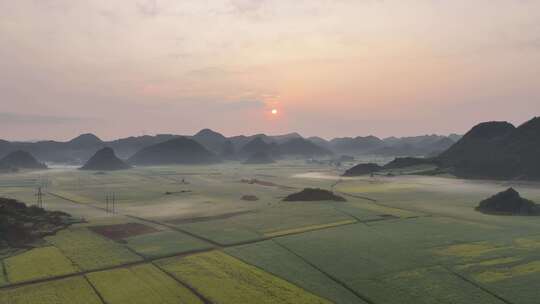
{"x":508,"y":202}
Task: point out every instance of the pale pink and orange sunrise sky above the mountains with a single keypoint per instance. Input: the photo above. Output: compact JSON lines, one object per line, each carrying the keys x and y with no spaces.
{"x":330,"y":67}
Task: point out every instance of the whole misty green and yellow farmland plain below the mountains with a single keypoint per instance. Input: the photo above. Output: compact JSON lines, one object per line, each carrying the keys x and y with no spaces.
{"x":403,"y":239}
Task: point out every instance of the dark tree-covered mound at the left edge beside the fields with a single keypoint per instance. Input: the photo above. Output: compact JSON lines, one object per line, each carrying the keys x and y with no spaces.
{"x":21,"y":225}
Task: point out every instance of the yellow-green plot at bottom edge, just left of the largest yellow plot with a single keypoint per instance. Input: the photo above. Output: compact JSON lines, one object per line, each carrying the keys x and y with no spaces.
{"x":140,"y":284}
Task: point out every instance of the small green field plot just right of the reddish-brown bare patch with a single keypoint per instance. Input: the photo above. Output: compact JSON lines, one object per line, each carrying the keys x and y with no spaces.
{"x":164,"y":243}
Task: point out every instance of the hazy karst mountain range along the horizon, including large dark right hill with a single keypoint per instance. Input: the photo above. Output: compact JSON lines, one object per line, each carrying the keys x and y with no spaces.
{"x":493,"y":150}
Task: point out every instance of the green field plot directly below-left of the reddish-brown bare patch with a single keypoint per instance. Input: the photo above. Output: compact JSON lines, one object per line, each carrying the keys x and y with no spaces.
{"x":91,"y":251}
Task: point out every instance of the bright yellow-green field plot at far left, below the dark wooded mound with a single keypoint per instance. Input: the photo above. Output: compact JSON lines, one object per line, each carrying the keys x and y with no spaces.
{"x":38,"y":263}
